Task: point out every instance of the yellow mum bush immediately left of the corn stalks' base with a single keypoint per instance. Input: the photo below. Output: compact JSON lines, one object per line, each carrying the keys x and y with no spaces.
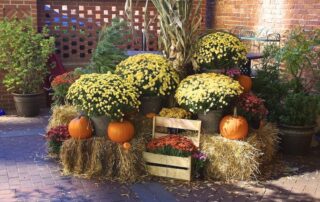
{"x":151,"y":73}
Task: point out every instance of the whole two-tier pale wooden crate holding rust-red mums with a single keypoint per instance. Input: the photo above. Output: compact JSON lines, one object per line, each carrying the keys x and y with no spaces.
{"x":172,"y":166}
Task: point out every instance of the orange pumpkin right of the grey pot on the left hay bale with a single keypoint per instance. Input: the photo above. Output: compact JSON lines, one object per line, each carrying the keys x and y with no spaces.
{"x":120,"y":132}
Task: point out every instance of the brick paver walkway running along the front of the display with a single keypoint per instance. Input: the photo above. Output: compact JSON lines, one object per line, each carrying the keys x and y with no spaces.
{"x":27,"y":175}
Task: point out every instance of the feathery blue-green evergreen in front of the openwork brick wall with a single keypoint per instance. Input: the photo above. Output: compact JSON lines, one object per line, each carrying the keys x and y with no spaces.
{"x":108,"y":54}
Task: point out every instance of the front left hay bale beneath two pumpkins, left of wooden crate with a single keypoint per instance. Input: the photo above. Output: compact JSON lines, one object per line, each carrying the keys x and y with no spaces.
{"x":100,"y":158}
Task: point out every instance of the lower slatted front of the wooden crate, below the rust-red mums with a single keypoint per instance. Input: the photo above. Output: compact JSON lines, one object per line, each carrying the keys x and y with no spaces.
{"x":168,"y":166}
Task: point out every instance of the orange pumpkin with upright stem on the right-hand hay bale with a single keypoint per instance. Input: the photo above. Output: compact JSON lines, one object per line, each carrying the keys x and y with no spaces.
{"x":234,"y":127}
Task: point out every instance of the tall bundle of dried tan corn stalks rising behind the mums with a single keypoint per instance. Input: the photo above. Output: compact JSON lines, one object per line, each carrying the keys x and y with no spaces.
{"x":179,"y":21}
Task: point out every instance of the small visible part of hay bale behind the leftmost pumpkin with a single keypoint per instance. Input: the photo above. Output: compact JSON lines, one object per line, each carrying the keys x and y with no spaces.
{"x":62,"y":115}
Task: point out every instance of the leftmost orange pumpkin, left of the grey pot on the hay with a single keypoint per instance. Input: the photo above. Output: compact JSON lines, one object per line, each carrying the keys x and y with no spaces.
{"x":80,"y":128}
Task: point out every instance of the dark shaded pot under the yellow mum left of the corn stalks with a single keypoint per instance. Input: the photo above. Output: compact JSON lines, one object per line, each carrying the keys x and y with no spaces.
{"x":150,"y":104}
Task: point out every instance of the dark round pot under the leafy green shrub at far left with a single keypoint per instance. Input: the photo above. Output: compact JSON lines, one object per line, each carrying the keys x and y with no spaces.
{"x":27,"y":105}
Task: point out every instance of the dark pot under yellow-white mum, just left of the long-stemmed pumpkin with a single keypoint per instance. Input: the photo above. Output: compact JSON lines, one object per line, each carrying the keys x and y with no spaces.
{"x":210,"y":121}
